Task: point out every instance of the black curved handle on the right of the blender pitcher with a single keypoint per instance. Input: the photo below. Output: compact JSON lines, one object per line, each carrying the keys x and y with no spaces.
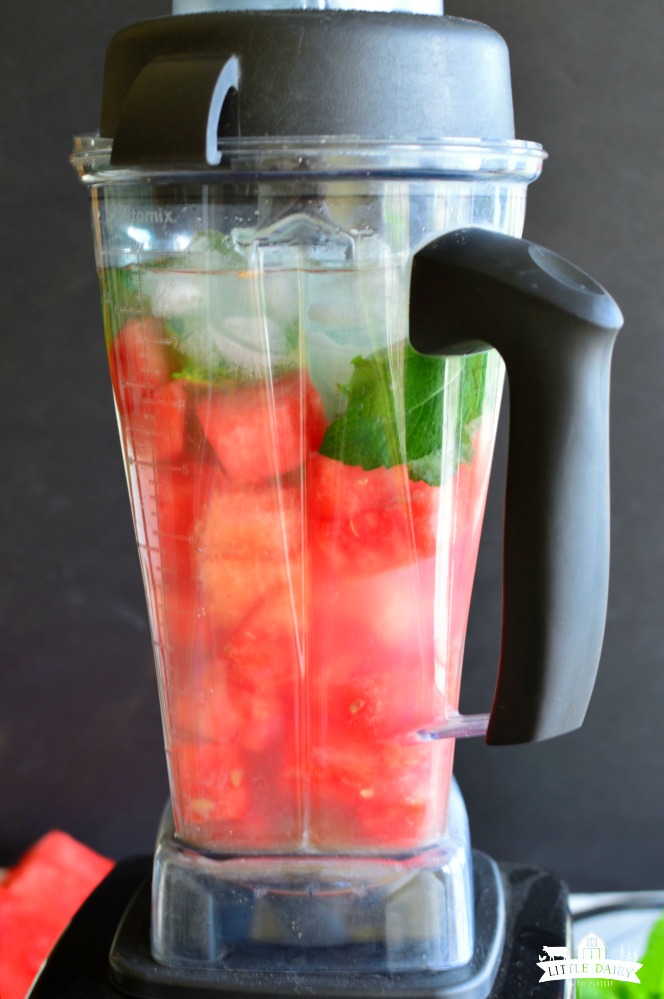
{"x":555,"y":328}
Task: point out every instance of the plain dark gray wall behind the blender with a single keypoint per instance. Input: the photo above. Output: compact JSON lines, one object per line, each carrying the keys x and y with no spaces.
{"x":80,"y":739}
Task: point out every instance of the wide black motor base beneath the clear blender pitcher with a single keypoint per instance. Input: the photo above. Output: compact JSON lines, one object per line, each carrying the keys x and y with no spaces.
{"x":535,"y":915}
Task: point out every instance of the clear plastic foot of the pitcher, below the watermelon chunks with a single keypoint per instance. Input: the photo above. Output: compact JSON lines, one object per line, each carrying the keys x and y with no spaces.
{"x":313,"y":914}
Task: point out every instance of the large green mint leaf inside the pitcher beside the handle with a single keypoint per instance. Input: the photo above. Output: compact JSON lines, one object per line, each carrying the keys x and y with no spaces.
{"x":378,"y":429}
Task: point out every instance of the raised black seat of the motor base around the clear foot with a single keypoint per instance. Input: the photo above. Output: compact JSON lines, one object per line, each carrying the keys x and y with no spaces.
{"x":345,"y":970}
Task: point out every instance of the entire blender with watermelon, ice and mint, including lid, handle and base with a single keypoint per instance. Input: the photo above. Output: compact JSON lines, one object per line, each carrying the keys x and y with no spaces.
{"x":307,"y":220}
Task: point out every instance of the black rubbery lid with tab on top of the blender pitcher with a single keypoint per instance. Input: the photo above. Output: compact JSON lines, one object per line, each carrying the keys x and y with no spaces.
{"x":173,"y":86}
